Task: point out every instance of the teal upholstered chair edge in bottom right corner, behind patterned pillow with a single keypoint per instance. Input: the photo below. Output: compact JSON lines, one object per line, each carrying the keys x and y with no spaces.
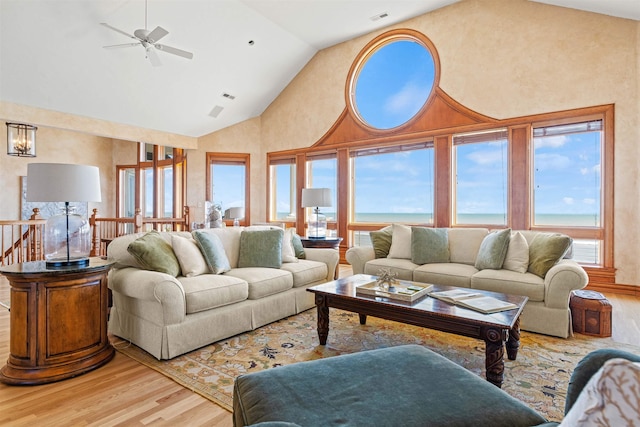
{"x":587,"y":367}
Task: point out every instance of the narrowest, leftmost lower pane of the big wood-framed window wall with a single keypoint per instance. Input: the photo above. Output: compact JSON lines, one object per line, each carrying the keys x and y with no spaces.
{"x":283,"y":190}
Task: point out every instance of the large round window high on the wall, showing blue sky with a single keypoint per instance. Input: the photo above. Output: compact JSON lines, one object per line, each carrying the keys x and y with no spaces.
{"x":392,"y":80}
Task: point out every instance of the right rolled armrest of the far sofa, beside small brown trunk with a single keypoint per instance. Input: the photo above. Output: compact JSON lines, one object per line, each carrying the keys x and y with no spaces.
{"x":563,"y":278}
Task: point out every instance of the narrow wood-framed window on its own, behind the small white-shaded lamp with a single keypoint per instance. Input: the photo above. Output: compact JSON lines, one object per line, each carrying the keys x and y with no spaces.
{"x":228,"y":182}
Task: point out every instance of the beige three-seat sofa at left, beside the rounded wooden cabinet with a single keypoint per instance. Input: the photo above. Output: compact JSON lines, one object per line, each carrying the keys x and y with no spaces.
{"x":168,"y":316}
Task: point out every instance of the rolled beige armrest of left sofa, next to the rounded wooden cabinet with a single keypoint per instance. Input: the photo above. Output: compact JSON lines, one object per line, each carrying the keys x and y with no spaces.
{"x":153,"y":286}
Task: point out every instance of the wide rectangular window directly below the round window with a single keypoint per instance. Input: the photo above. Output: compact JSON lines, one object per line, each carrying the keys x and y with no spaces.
{"x":393,"y":184}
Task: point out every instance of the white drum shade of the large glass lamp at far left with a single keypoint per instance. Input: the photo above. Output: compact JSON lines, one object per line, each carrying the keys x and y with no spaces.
{"x":59,"y":182}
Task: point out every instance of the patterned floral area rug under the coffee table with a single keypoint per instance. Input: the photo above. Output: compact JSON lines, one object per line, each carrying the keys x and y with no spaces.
{"x":538,"y":377}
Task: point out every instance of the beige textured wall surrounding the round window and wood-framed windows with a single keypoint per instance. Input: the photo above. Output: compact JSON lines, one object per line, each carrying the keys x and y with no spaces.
{"x":502,"y":58}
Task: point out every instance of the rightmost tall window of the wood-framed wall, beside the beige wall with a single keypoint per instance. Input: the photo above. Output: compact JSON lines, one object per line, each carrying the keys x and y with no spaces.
{"x":567,"y":177}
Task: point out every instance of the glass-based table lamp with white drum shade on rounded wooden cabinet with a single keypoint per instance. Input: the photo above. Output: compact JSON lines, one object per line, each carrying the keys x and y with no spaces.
{"x":67,"y":239}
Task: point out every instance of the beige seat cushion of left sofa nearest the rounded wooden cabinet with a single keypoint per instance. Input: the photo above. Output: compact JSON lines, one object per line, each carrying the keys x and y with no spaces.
{"x":208,"y":291}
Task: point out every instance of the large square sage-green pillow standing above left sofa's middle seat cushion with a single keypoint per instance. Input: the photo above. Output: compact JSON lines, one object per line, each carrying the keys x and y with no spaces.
{"x":261,"y":248}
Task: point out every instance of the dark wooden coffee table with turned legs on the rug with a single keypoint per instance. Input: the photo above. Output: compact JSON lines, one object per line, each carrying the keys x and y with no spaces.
{"x":497,"y":330}
